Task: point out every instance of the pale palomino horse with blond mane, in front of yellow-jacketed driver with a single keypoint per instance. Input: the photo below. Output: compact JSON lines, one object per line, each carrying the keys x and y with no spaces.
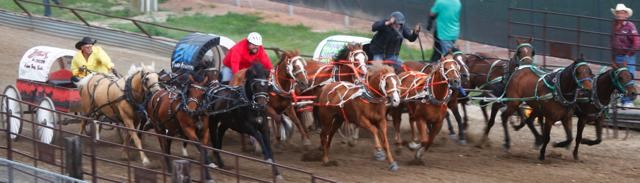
{"x":119,"y":99}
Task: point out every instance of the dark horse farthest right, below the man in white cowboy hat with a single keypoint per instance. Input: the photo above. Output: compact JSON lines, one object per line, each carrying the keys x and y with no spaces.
{"x":618,"y":78}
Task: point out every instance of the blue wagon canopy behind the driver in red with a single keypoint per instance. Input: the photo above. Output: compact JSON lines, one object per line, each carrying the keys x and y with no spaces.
{"x":190,"y":50}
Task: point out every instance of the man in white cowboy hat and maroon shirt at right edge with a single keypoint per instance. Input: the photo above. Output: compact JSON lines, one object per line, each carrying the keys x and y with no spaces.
{"x":624,"y":42}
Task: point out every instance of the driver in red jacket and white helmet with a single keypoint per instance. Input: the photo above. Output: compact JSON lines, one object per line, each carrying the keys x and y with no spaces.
{"x":243,"y":54}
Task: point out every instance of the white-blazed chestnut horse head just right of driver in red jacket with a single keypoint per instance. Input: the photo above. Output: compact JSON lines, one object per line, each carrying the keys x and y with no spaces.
{"x":295,"y":68}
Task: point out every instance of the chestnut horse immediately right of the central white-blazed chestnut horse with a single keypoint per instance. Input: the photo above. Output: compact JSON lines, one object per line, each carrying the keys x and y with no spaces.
{"x":427,"y":96}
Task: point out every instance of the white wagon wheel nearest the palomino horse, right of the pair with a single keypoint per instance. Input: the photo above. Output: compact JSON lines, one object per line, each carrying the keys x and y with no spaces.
{"x":47,"y":121}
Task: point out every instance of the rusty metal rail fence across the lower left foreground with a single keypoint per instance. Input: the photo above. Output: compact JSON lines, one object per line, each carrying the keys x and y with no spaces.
{"x":101,"y":166}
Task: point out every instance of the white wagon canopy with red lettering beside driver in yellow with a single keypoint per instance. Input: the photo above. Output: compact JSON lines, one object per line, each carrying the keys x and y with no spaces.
{"x":37,"y":62}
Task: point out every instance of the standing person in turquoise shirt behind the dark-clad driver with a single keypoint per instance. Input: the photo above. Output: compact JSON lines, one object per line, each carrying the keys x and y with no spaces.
{"x":446,"y":13}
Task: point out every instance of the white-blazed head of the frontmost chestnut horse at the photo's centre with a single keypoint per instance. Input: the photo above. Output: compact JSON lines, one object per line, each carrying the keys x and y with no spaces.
{"x":384,"y":80}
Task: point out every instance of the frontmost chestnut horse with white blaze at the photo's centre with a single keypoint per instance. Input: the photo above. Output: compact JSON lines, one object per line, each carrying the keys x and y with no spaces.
{"x":364,"y":105}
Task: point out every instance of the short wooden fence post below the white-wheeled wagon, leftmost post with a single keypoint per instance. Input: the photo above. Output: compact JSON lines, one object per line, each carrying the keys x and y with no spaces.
{"x":73,"y":157}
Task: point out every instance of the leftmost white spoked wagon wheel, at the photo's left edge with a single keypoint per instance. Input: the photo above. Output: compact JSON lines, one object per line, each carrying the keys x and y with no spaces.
{"x":15,"y":108}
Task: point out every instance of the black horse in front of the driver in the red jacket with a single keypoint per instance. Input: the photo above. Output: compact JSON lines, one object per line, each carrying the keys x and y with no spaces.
{"x":242,"y":109}
